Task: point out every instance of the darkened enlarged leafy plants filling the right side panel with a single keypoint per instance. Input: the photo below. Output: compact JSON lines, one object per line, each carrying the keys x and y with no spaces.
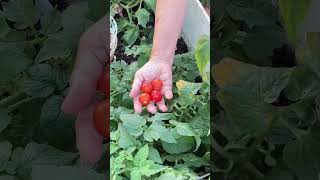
{"x":265,"y":92}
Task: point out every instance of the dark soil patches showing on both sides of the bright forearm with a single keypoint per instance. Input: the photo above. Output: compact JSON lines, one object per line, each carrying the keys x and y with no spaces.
{"x":119,"y":53}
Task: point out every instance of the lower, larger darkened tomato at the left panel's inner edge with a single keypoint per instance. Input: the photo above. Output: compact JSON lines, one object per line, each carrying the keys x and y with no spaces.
{"x":100,"y":116}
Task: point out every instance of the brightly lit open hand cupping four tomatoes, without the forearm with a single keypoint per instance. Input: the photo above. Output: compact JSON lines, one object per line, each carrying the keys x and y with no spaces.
{"x":153,"y":69}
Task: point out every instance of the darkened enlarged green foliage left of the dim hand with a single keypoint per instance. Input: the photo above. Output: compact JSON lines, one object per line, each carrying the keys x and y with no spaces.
{"x":37,"y":52}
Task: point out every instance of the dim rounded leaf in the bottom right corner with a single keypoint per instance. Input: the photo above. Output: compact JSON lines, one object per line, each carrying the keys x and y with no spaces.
{"x":302,"y":157}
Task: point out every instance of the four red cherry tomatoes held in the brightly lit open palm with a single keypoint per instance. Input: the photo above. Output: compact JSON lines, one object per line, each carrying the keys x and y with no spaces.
{"x":151,"y":92}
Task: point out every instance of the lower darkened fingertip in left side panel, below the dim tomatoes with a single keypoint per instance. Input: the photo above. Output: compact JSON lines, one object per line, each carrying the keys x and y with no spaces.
{"x":89,"y":141}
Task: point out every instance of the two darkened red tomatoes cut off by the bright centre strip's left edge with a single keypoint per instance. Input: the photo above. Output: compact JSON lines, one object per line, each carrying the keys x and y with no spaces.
{"x":102,"y":110}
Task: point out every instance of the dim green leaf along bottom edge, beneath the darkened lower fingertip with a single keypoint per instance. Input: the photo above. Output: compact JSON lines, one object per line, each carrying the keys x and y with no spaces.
{"x":48,"y":172}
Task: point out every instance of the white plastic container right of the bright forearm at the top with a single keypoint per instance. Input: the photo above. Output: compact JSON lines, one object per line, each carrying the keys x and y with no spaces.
{"x":196,"y":23}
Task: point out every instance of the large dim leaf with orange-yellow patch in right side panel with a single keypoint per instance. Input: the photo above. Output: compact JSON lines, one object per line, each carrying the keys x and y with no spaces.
{"x":247,"y":91}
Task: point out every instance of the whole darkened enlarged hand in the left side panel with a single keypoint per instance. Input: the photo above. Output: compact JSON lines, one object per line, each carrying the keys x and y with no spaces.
{"x":91,"y":57}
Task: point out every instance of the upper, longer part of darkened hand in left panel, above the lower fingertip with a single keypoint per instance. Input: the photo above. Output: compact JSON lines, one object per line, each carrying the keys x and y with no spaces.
{"x":91,"y":56}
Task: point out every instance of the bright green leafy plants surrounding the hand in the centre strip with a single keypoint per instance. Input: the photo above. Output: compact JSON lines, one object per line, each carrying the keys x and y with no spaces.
{"x":171,"y":145}
